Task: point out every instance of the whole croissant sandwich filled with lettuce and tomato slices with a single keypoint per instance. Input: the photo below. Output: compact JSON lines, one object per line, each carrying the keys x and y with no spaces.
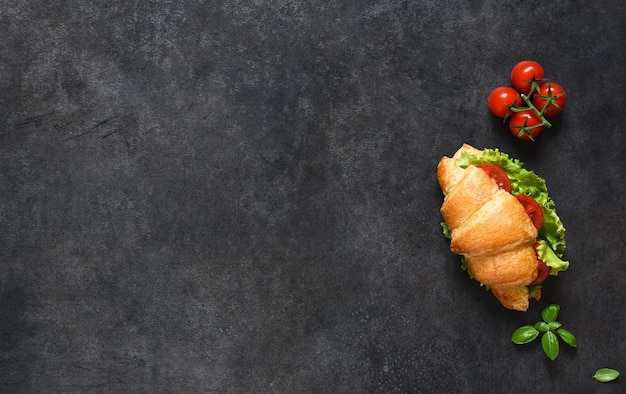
{"x":499,"y":218}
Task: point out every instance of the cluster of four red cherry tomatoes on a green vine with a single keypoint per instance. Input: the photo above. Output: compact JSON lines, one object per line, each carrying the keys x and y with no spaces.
{"x":529,"y":102}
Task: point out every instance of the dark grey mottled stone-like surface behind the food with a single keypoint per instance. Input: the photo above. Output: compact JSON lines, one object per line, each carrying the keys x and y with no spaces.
{"x":240,"y":196}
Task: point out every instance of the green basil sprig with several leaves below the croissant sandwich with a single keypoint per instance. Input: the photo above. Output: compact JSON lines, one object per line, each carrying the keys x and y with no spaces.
{"x":551,"y":329}
